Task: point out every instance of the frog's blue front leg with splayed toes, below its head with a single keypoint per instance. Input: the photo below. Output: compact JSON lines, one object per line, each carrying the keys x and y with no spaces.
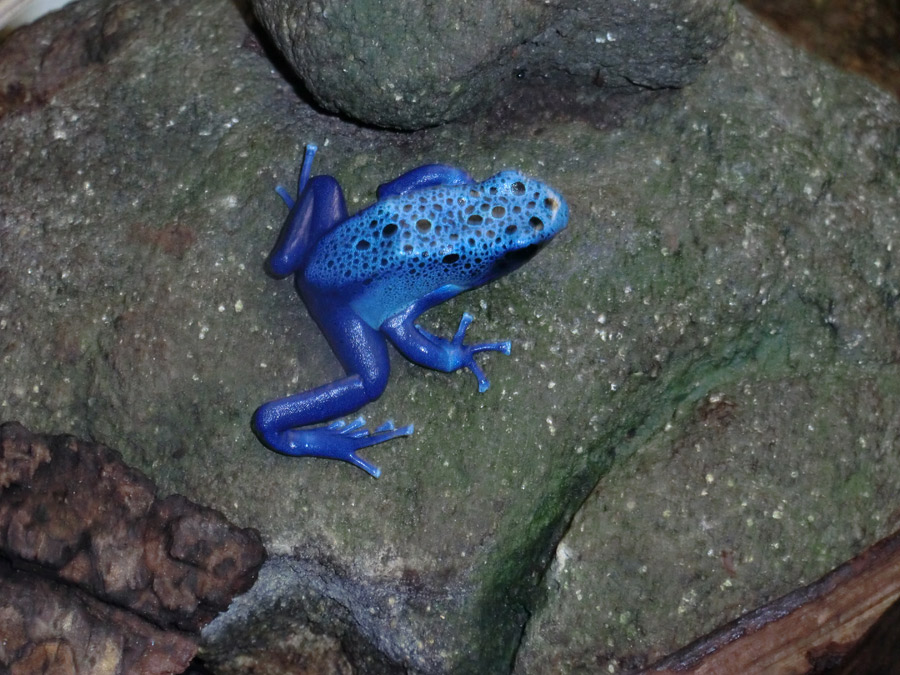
{"x":431,"y":351}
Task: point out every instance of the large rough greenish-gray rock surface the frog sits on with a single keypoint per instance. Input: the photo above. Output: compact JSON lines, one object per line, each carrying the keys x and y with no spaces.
{"x":700,"y":411}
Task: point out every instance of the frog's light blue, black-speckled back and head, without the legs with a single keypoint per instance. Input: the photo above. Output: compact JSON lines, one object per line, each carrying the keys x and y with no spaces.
{"x":403,"y":247}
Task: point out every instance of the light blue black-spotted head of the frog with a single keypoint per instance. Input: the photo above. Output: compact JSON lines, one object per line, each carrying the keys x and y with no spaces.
{"x":516,"y":217}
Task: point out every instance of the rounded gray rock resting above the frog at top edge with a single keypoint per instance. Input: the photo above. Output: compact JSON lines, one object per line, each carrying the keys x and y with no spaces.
{"x":410,"y":65}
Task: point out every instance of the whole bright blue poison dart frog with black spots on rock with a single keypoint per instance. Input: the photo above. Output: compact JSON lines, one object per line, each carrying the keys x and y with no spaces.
{"x":433,"y":233}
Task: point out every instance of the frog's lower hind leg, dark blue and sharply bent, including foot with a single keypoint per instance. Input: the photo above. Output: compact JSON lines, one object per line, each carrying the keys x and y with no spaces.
{"x":276,"y":423}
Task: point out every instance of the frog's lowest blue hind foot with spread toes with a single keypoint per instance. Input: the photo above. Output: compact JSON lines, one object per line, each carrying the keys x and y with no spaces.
{"x":338,"y":440}
